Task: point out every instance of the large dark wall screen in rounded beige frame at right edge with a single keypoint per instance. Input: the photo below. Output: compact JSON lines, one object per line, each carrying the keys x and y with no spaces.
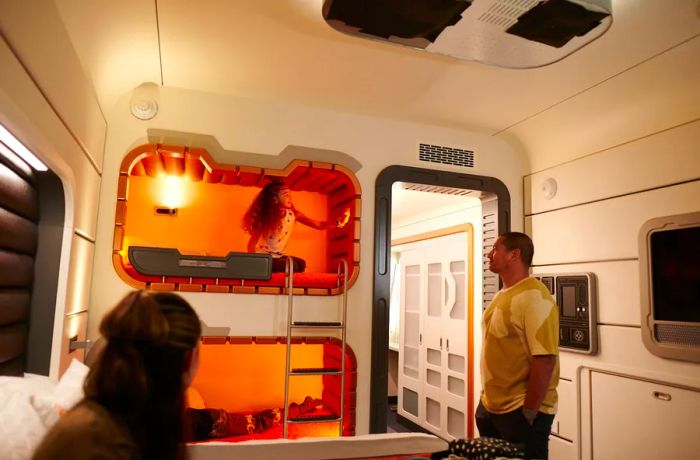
{"x":669,"y":250}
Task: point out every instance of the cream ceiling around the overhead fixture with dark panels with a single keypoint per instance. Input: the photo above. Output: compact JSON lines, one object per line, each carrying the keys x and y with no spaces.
{"x":283,"y":50}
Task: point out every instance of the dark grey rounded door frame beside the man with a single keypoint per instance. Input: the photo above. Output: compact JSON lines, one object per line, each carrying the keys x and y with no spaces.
{"x":382,"y":261}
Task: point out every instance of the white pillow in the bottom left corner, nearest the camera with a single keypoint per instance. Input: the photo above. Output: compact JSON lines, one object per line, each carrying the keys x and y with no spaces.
{"x":21,"y":428}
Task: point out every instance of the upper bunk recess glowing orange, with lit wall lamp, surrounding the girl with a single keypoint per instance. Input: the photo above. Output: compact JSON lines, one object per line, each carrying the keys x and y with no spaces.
{"x":182,"y":214}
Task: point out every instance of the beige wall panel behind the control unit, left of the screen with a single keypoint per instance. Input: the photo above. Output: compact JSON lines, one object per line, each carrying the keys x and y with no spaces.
{"x":617,"y":288}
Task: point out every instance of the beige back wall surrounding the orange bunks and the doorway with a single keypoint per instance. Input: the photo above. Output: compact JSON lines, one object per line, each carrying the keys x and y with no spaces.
{"x":265,"y":127}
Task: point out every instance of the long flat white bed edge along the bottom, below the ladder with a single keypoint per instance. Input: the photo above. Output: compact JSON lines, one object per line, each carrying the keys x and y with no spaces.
{"x":347,"y":447}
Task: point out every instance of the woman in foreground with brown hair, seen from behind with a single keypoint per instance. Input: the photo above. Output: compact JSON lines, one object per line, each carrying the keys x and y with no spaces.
{"x":134,"y":392}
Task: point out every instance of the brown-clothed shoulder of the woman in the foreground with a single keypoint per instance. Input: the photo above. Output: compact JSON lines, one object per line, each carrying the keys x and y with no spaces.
{"x":87,"y":431}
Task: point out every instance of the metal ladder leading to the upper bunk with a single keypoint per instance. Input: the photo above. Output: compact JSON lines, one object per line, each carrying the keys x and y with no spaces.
{"x":310,"y":325}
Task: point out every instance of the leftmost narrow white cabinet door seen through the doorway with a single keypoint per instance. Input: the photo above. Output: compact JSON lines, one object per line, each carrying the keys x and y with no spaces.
{"x":410,"y":379}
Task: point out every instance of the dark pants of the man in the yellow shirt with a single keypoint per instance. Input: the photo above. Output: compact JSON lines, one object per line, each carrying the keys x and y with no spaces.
{"x":513,"y":427}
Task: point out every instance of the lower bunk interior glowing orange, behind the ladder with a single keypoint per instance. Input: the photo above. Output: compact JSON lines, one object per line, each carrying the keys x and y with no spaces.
{"x":247,"y":374}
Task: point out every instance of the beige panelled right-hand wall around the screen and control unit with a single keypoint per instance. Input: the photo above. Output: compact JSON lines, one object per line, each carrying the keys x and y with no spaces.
{"x":592,"y":225}
